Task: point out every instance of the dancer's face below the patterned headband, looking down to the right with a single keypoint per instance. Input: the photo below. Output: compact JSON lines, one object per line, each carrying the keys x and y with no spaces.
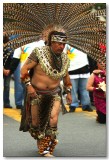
{"x":57,"y":47}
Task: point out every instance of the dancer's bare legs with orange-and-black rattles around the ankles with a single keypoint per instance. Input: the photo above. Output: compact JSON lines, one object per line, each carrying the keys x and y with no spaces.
{"x":46,"y":140}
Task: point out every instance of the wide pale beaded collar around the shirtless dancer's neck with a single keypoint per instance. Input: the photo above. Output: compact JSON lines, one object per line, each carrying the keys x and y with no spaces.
{"x":44,"y":56}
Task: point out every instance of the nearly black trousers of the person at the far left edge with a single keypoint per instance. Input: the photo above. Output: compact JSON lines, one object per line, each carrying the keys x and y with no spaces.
{"x":6,"y":91}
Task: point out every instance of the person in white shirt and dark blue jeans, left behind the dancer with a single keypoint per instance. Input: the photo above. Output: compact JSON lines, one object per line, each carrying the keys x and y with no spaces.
{"x":19,"y":57}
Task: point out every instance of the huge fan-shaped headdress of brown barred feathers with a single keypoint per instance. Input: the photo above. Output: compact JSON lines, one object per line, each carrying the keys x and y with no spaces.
{"x":32,"y":20}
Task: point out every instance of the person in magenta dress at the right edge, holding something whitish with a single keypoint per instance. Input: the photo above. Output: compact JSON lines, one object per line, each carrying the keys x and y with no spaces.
{"x":97,"y":84}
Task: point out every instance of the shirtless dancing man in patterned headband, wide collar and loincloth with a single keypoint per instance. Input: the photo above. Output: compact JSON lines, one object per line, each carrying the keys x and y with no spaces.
{"x":43,"y":101}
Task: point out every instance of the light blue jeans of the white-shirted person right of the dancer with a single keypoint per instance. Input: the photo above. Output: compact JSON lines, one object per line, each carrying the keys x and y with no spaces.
{"x":79,"y":84}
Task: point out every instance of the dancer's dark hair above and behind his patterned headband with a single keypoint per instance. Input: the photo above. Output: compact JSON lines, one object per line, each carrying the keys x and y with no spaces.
{"x":55,"y":33}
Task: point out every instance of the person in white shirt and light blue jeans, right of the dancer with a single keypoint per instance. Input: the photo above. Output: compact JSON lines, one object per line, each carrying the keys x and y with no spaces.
{"x":79,"y":73}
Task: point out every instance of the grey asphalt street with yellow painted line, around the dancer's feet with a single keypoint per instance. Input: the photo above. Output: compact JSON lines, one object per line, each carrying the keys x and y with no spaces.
{"x":79,"y":135}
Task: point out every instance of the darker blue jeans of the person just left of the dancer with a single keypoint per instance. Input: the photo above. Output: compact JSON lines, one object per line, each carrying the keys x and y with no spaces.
{"x":19,"y":91}
